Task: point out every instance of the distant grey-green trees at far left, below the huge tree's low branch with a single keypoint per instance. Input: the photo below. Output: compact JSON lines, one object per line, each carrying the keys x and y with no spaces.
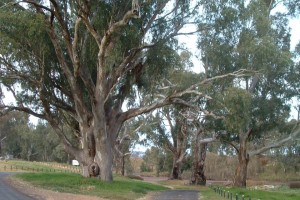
{"x":28,"y":142}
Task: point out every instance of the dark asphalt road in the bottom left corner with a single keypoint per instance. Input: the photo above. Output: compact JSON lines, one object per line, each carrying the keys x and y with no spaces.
{"x":9,"y":193}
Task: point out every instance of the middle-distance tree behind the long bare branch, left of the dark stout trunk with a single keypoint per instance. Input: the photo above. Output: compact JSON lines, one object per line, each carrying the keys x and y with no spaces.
{"x":170,"y":130}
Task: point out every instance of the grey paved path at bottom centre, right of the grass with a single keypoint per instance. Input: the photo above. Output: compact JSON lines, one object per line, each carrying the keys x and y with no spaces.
{"x":177,"y":195}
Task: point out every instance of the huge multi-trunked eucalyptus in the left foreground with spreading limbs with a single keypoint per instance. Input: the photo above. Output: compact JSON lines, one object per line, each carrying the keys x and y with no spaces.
{"x":79,"y":62}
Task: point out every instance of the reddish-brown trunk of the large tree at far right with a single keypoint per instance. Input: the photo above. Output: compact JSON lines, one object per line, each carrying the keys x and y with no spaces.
{"x":240,"y":177}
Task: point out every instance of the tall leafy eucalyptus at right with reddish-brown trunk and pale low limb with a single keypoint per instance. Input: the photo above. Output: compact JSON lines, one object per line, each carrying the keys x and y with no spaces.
{"x":248,"y":35}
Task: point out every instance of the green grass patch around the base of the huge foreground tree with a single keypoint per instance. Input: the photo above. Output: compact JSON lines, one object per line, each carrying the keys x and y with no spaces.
{"x":121,"y":188}
